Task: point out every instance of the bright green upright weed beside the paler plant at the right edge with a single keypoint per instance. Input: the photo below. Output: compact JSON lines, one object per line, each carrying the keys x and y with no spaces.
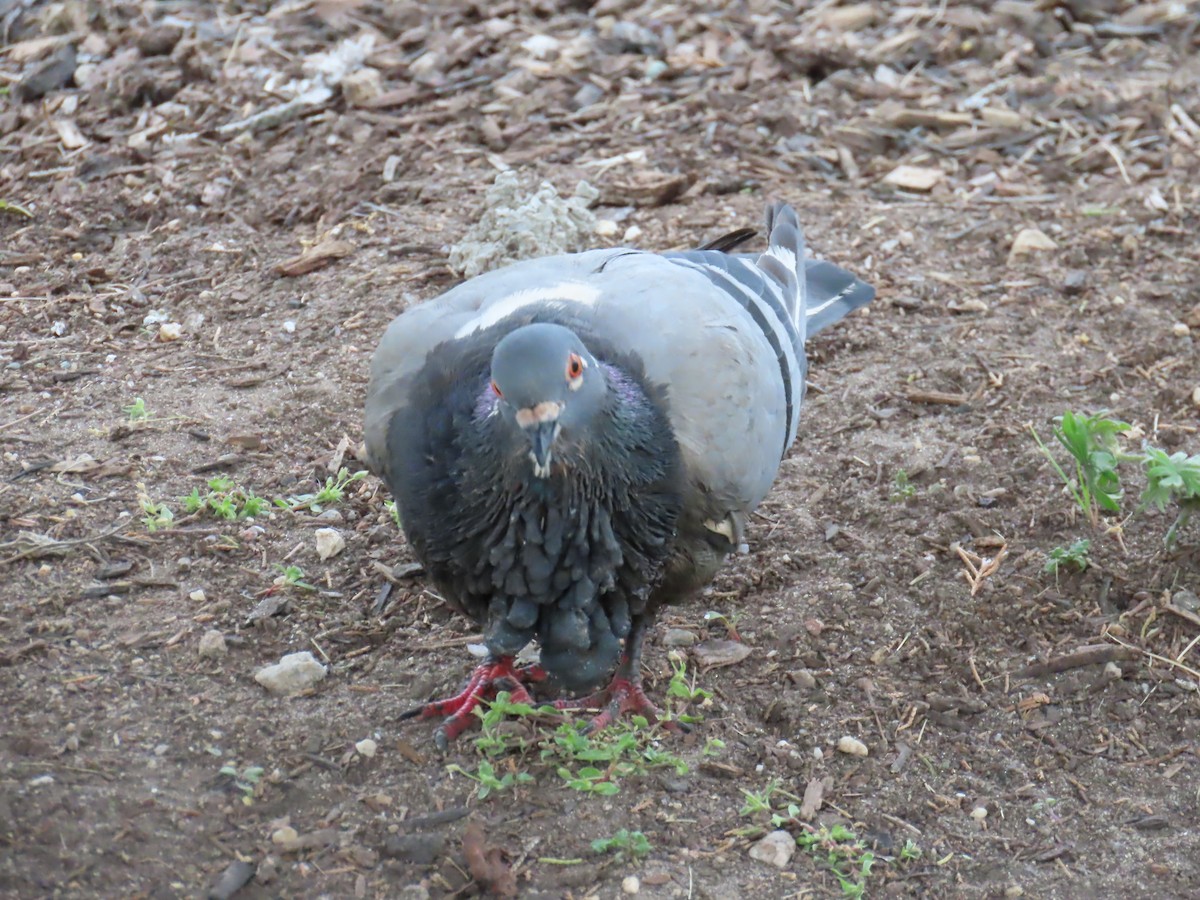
{"x":1091,"y":441}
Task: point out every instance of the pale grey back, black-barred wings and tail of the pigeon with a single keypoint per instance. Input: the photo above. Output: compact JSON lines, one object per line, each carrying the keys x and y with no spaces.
{"x":722,"y":333}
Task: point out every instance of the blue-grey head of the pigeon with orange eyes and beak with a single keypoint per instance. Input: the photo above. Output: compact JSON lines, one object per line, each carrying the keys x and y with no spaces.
{"x":550,"y":388}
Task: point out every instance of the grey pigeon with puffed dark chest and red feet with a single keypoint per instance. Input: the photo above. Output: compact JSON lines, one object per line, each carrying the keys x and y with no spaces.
{"x":575,"y":441}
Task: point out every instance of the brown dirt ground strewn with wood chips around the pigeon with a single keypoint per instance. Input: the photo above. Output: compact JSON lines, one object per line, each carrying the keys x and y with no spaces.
{"x":161,"y":165}
